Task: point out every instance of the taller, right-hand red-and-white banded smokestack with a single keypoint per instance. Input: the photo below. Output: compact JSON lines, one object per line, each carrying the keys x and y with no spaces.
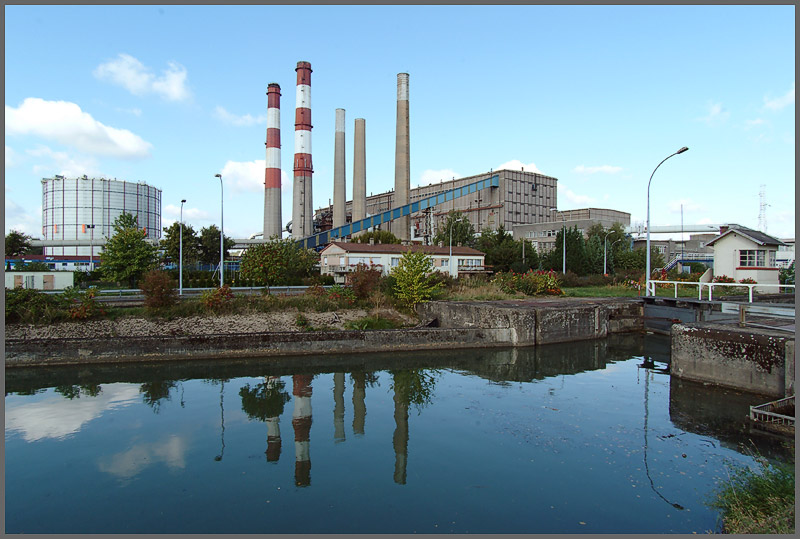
{"x":302,"y":209}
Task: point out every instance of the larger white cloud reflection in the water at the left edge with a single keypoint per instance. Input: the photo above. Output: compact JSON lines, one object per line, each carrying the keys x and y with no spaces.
{"x":58,"y":417}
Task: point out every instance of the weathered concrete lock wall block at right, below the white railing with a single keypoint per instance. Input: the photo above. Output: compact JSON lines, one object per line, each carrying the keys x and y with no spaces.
{"x":734,"y":357}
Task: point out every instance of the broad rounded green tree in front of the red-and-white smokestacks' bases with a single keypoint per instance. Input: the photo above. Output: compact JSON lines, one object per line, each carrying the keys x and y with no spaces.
{"x":277,"y":262}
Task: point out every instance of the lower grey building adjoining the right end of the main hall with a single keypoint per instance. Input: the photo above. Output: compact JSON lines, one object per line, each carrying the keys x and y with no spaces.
{"x":543,"y":234}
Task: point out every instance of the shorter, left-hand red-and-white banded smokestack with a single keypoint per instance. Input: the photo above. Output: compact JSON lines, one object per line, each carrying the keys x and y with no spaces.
{"x":272,"y":174}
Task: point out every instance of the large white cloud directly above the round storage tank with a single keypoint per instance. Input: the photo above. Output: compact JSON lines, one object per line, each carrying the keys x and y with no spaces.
{"x":67,"y":124}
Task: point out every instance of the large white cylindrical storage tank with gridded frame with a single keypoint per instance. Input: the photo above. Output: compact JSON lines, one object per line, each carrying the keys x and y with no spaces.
{"x":86,"y":208}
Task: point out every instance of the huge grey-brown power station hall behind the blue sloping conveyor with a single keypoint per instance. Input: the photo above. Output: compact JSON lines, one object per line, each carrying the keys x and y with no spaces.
{"x":521,"y":198}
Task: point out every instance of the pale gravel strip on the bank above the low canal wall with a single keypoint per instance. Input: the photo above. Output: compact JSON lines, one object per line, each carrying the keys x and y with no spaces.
{"x":196,"y":325}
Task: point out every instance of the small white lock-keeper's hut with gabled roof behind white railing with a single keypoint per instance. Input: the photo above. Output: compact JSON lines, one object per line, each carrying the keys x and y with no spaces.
{"x":742,"y":253}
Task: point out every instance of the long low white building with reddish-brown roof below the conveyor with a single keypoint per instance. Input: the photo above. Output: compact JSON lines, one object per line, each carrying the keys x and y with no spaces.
{"x":340,"y":258}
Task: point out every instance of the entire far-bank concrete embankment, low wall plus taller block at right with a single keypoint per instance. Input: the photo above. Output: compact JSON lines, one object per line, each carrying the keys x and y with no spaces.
{"x":457,"y":325}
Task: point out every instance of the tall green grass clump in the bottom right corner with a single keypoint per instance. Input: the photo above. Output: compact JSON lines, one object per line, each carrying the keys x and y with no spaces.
{"x":758,"y":501}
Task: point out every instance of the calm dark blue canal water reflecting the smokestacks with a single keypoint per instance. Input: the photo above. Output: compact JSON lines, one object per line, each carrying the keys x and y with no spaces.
{"x":587,"y":437}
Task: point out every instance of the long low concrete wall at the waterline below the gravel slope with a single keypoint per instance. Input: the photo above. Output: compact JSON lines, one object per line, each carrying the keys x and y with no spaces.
{"x":43,"y":352}
